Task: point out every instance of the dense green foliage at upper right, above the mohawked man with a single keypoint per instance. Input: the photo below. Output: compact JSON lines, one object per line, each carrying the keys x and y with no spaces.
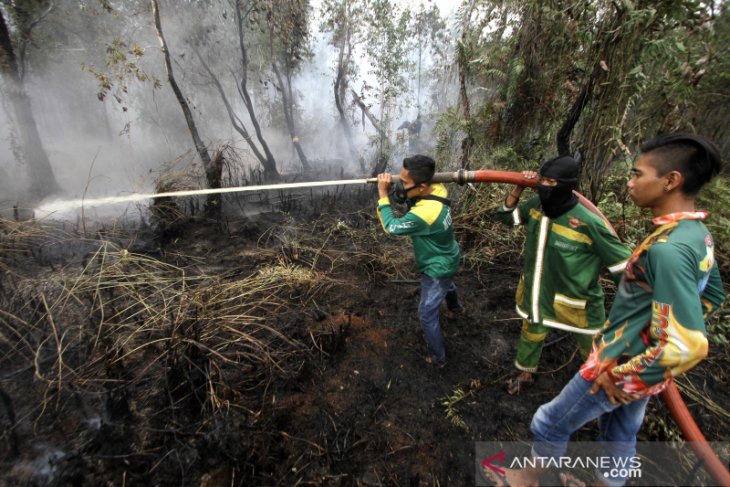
{"x":642,"y":67}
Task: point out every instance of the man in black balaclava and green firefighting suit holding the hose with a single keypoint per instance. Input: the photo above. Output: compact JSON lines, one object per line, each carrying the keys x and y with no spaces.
{"x":566,"y":247}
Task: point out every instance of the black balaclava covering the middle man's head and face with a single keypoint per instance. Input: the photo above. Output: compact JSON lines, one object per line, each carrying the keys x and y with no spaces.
{"x":558,"y":199}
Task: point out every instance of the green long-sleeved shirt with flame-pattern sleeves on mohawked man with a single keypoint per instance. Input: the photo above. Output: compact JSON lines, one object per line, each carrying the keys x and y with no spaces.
{"x":656,"y":327}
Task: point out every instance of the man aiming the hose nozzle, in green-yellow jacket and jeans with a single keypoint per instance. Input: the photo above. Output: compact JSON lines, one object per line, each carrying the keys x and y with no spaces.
{"x":429,"y":224}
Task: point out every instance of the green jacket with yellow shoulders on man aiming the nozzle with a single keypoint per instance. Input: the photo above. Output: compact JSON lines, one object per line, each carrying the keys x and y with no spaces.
{"x":429,"y":224}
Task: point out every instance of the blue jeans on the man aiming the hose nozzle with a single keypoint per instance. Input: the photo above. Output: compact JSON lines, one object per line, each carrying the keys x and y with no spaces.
{"x":433,"y":291}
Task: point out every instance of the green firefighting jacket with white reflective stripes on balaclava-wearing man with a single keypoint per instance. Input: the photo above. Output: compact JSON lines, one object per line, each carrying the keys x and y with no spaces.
{"x":563,"y":258}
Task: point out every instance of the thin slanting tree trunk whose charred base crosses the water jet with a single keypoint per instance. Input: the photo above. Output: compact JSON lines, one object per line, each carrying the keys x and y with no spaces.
{"x":213,"y":202}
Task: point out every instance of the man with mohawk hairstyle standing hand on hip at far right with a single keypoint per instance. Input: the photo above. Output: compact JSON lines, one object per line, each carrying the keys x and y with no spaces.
{"x":656,"y":327}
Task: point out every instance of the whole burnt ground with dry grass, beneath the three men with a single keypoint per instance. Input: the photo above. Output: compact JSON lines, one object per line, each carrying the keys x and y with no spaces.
{"x":276,"y":349}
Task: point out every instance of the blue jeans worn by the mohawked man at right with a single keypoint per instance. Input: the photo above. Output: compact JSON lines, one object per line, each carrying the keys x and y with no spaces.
{"x":554,"y":422}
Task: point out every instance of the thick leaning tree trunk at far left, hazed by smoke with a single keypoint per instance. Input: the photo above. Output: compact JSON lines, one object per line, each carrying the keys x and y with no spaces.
{"x":42,"y":180}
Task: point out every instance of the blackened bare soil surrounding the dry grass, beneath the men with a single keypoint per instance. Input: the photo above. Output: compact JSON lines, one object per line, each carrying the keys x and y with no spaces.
{"x":355,"y":405}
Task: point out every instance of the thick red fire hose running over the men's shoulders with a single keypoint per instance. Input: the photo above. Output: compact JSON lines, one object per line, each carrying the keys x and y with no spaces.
{"x":677,"y":407}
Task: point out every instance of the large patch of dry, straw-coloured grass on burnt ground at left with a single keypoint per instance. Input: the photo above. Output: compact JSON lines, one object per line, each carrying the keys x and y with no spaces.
{"x":124,"y":320}
